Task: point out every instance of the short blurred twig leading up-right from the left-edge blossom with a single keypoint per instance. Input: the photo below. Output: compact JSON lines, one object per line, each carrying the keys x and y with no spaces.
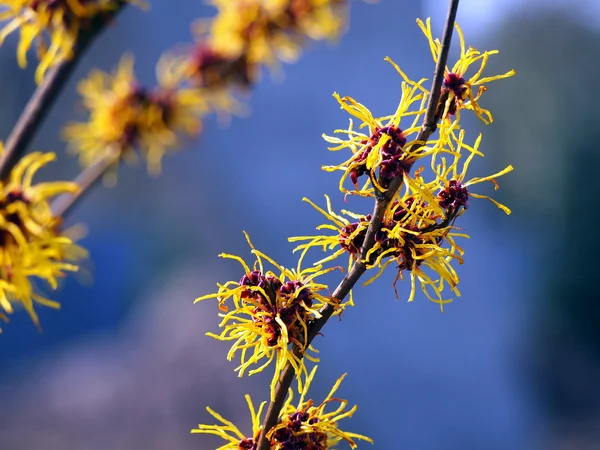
{"x":88,"y":178}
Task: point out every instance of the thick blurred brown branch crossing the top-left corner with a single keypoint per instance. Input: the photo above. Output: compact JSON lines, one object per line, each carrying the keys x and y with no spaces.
{"x":46,"y":94}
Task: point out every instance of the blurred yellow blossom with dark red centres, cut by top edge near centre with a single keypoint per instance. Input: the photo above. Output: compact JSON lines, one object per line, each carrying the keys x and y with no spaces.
{"x":247,"y":34}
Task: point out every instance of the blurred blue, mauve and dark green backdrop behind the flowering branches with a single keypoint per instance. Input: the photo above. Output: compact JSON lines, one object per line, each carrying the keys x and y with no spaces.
{"x":513,"y":363}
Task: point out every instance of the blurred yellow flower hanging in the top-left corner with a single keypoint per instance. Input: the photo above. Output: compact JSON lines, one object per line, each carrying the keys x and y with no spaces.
{"x":54,"y":25}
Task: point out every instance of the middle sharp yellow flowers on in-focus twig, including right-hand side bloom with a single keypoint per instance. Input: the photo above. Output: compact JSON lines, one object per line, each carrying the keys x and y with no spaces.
{"x":417,"y":232}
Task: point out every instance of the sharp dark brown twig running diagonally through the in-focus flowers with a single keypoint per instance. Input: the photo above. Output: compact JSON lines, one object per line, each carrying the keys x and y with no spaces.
{"x":359,"y":267}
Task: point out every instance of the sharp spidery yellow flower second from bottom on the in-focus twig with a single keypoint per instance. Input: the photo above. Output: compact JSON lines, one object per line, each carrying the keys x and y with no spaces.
{"x":270,"y":313}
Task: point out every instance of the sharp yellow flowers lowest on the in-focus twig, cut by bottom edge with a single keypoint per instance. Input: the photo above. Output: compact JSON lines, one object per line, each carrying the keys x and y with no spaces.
{"x":304,"y":426}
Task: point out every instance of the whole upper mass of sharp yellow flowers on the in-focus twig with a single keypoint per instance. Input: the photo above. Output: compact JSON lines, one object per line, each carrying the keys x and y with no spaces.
{"x":417,"y":233}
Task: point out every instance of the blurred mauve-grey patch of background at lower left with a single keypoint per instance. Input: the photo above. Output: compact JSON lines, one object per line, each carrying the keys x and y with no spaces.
{"x":144,"y":387}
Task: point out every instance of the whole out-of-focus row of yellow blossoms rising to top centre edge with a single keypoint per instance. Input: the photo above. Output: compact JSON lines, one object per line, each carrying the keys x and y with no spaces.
{"x":245,"y":34}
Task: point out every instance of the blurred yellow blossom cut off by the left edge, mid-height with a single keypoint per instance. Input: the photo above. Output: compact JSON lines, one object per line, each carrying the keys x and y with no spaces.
{"x":32,"y":246}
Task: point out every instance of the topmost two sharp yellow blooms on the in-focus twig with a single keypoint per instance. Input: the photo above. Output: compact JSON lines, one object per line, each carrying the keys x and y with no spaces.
{"x":389,"y":151}
